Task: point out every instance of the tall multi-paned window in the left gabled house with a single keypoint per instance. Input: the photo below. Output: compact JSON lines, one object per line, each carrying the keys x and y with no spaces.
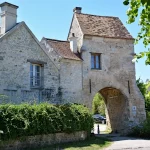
{"x":35,"y":75}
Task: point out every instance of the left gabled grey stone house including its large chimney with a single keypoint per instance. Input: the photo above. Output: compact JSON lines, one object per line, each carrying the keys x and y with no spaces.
{"x":26,"y":72}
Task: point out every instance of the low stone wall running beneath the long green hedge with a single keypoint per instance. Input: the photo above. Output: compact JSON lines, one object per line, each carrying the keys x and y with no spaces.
{"x":42,"y":140}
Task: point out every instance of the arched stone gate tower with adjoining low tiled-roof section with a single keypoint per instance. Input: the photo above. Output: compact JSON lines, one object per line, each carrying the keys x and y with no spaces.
{"x":98,"y":58}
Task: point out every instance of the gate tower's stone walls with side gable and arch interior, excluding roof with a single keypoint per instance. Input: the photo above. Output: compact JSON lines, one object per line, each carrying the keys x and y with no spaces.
{"x":117,"y":73}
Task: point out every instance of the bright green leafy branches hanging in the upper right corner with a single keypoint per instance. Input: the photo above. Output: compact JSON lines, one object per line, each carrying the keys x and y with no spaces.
{"x":141,"y":9}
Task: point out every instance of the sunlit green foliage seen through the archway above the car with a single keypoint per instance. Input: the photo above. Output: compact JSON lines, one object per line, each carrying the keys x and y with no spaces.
{"x":98,"y":105}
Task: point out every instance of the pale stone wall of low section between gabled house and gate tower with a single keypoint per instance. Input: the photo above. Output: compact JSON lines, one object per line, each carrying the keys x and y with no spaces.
{"x":71,"y":80}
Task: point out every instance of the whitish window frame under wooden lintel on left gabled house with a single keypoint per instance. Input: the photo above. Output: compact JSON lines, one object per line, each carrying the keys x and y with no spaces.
{"x":34,"y":79}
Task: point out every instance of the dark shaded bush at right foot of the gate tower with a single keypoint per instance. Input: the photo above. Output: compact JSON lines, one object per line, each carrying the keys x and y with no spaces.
{"x":142,"y":130}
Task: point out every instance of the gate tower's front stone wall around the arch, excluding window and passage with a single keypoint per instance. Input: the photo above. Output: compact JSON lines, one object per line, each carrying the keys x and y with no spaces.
{"x":117,"y":72}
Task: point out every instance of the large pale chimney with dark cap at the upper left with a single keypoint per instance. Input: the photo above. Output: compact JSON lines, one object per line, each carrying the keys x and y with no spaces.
{"x":8,"y":16}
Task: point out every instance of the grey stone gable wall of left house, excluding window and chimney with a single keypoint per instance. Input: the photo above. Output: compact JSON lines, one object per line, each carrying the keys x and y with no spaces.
{"x":15,"y":50}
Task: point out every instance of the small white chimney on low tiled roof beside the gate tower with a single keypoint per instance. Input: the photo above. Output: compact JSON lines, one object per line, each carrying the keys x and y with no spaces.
{"x":73,"y":43}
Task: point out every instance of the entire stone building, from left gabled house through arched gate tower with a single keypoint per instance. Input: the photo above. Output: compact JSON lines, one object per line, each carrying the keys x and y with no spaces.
{"x":97,"y":57}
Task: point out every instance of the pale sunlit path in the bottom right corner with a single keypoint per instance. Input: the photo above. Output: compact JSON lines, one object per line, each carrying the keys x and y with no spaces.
{"x":127,"y":143}
